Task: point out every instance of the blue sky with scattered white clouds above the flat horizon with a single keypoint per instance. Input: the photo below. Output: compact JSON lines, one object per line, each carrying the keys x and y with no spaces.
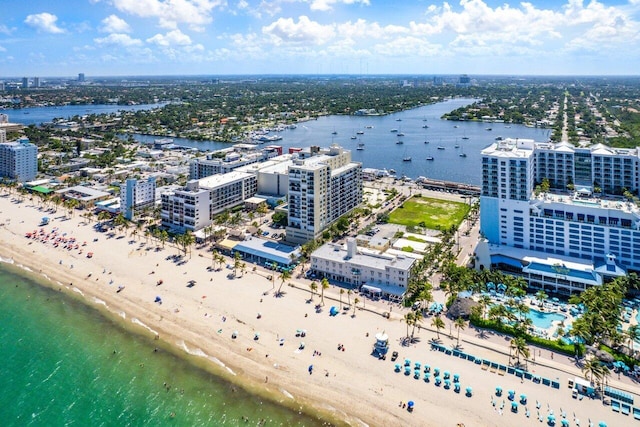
{"x":168,"y":37}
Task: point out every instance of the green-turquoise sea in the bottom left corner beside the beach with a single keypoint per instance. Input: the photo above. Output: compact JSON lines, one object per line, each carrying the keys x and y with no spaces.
{"x":64,"y":363}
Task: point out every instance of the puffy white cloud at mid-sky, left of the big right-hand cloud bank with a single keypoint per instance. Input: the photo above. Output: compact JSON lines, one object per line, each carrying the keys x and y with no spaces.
{"x":285,"y":30}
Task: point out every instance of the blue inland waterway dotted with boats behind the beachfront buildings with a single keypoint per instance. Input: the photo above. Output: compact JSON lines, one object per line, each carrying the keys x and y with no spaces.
{"x":382,"y":152}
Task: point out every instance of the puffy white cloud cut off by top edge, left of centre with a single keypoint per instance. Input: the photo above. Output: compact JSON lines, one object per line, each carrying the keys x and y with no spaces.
{"x":169,"y":13}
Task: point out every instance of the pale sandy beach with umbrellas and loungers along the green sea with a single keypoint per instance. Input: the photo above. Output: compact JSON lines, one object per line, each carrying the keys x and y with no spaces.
{"x":199,"y":310}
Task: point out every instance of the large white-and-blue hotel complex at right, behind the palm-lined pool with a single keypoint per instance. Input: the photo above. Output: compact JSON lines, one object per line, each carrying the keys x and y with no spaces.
{"x":563,"y":240}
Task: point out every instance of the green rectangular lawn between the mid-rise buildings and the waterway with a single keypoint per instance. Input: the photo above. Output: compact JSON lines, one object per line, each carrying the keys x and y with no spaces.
{"x":431,"y":213}
